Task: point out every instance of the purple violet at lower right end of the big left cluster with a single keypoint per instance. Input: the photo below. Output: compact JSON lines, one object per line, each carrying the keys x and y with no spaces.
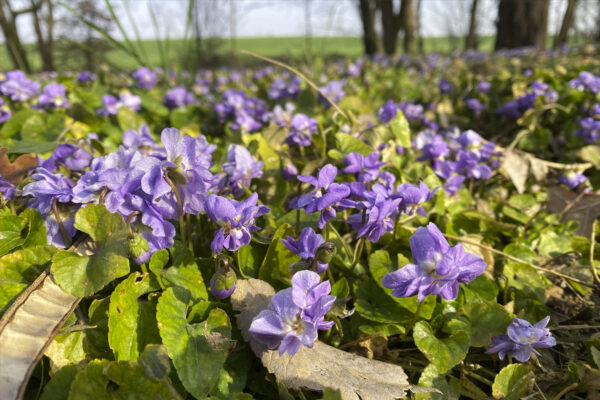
{"x":236,"y":220}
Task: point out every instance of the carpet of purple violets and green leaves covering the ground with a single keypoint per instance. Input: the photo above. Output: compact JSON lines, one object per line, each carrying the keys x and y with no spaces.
{"x":435,"y":213}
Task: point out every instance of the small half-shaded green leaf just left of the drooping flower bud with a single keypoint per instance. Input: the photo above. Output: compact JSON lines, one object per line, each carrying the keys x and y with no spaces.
{"x":185,"y":273}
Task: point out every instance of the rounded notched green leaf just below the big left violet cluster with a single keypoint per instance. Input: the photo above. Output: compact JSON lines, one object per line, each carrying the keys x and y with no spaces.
{"x":84,"y":275}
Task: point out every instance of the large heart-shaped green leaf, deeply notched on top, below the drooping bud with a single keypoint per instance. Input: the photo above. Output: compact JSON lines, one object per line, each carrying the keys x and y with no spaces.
{"x":199,"y":350}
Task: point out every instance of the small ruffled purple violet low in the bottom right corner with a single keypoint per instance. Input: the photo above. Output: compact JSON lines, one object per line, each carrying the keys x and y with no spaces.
{"x":521,"y":339}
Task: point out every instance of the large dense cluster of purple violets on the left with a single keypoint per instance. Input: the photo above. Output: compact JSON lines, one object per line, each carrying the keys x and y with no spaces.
{"x":150,"y":185}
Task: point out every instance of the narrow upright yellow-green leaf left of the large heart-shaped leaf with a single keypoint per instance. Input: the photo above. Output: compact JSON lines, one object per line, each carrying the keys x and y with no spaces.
{"x":123,"y":315}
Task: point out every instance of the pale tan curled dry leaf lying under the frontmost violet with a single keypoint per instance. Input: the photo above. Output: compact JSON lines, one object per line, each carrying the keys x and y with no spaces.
{"x":323,"y":365}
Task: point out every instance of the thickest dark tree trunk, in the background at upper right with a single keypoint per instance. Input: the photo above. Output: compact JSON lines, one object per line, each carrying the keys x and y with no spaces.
{"x":522,"y":23}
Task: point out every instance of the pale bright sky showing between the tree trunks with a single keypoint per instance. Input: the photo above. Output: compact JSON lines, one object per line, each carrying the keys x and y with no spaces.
{"x":260,"y":18}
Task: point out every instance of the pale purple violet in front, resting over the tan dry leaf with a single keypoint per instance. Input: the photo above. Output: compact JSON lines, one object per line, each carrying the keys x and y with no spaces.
{"x":295,"y":315}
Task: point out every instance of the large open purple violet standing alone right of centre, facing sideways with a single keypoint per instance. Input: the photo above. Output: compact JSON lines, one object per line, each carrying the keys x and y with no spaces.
{"x":438,"y":268}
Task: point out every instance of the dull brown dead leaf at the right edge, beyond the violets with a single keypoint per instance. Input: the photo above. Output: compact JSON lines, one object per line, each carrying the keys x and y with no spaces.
{"x":584,"y":208}
